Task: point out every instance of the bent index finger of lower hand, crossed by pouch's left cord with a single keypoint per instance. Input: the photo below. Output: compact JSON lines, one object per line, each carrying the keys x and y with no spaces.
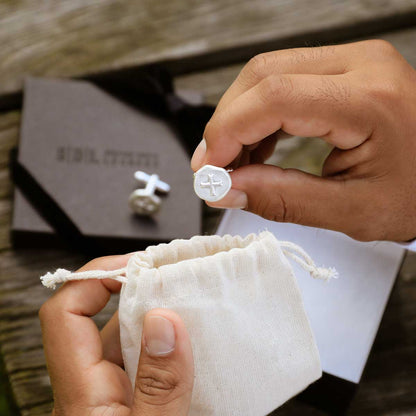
{"x":71,"y":339}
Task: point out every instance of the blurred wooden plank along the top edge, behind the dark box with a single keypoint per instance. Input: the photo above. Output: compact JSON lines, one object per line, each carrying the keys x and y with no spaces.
{"x":76,"y":38}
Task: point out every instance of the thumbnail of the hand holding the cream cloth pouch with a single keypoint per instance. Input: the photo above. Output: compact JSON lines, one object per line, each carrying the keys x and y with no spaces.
{"x":159,"y":335}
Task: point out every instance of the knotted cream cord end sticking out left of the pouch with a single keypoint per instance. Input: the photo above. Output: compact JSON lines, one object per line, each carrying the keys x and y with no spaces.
{"x":50,"y":280}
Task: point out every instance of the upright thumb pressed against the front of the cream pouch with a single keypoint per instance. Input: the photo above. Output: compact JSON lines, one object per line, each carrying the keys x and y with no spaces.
{"x":165,"y":374}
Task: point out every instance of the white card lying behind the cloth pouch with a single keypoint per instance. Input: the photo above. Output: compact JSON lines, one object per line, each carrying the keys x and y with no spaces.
{"x":344,"y":313}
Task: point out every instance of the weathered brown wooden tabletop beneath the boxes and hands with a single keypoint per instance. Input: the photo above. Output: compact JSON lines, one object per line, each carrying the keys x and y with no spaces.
{"x":97,"y":35}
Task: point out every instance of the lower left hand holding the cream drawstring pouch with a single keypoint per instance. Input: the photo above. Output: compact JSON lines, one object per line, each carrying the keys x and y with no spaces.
{"x":85,"y":366}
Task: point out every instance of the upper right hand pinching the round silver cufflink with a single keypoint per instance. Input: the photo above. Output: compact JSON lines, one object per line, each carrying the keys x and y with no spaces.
{"x":360,"y":98}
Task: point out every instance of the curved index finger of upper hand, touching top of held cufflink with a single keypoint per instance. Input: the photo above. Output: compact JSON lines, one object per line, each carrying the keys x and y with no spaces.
{"x":300,"y":105}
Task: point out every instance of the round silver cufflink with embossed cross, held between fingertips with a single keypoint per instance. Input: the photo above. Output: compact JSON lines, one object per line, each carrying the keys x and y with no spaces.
{"x":212,"y":183}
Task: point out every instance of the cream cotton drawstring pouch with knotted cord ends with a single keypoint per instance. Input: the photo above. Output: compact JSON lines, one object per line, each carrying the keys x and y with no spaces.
{"x":238,"y":297}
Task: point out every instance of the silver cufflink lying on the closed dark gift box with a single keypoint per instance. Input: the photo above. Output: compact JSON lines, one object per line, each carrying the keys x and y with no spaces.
{"x":144,"y":201}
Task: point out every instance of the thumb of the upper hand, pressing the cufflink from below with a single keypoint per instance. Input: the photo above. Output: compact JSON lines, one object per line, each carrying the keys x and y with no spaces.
{"x":289,"y":195}
